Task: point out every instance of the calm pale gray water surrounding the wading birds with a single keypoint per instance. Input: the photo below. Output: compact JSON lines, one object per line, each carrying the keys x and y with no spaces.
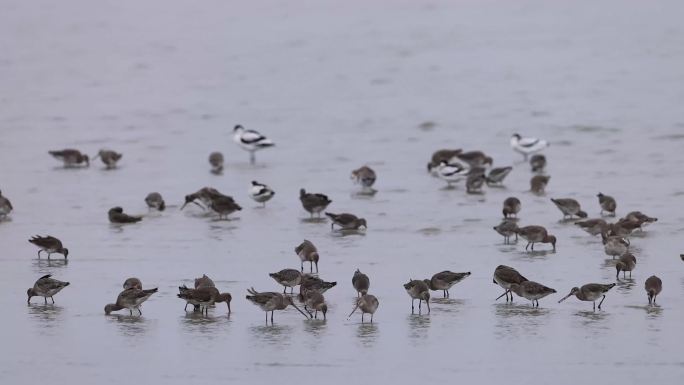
{"x":336,"y":88}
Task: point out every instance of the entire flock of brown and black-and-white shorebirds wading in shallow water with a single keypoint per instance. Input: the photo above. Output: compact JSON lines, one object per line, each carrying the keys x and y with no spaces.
{"x":452,"y":166}
